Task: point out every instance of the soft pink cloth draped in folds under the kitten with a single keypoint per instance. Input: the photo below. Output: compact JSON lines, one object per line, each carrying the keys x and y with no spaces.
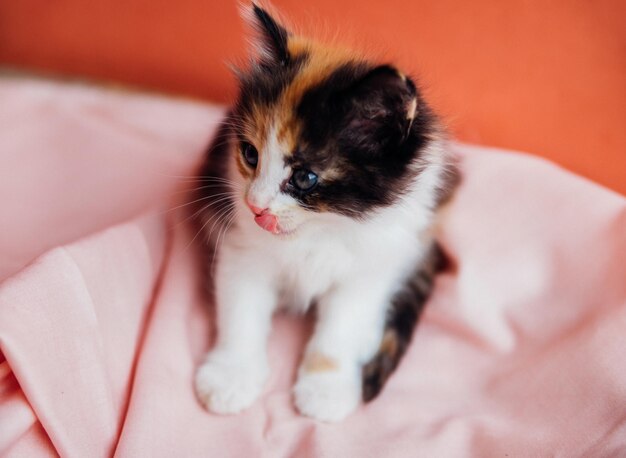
{"x":521,"y":351}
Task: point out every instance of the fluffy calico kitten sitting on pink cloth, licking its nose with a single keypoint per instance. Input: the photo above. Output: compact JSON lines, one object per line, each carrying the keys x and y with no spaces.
{"x":322,"y":188}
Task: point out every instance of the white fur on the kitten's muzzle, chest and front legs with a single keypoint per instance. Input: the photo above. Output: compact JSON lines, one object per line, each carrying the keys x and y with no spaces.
{"x":349,"y":268}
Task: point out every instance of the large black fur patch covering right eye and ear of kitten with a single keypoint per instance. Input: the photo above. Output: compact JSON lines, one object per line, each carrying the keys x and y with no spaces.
{"x":355,"y":123}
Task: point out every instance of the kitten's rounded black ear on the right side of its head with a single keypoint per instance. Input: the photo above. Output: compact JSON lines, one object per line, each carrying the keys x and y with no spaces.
{"x":381,"y":107}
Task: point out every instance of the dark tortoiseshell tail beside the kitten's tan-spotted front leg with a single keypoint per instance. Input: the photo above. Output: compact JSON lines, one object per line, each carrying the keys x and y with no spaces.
{"x":405,"y":310}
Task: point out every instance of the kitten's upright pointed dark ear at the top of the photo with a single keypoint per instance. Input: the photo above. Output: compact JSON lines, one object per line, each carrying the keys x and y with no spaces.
{"x":271,"y":40}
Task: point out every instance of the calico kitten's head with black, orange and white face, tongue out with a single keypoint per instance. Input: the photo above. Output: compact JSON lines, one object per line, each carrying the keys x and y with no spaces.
{"x":321,"y":131}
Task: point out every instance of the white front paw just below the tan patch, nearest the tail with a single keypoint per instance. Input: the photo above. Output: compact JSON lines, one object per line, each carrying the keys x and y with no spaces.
{"x":328,"y":396}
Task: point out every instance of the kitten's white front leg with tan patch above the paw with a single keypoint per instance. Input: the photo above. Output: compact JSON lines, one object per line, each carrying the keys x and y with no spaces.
{"x":348,"y":333}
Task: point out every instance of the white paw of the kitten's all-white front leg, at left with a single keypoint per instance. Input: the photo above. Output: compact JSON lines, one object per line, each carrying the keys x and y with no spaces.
{"x":228,"y":387}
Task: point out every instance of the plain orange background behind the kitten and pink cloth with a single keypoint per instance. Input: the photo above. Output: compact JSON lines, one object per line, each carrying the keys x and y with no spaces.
{"x":547,"y":77}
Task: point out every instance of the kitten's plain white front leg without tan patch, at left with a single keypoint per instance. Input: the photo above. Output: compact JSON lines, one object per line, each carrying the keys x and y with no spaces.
{"x":235,"y":370}
